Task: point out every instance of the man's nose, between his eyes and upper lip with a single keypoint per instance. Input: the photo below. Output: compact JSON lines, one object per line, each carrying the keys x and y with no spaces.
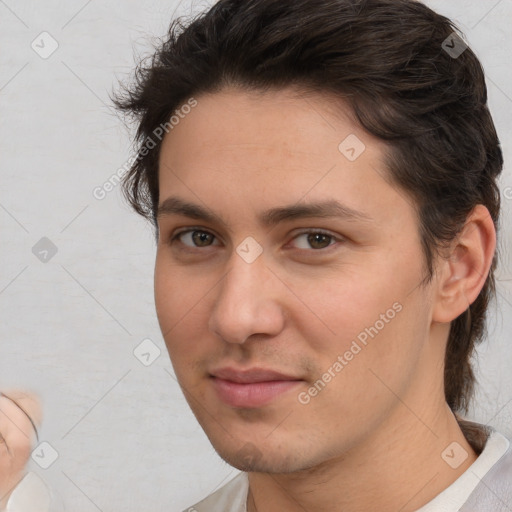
{"x":247,"y":303}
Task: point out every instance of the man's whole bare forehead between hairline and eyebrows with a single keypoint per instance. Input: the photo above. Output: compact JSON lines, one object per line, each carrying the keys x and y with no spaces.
{"x":265,"y":149}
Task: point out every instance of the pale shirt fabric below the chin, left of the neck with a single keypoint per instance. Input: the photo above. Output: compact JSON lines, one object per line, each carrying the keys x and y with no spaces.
{"x":231,"y":497}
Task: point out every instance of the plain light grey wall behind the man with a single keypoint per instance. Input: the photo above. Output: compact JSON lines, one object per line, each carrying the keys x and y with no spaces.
{"x":124,"y":435}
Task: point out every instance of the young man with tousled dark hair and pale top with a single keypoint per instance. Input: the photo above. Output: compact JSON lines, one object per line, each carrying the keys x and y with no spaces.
{"x":322,"y":179}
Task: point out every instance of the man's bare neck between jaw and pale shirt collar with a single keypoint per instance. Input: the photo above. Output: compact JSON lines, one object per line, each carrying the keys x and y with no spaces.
{"x":404,"y":471}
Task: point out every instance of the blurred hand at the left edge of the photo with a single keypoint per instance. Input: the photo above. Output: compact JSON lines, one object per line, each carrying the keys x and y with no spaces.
{"x":20,"y":416}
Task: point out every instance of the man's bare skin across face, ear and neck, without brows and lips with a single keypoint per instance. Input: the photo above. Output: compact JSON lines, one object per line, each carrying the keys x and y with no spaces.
{"x":372,"y":438}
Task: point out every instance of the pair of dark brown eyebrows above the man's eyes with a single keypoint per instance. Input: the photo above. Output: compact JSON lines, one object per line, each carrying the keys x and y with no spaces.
{"x":326,"y":209}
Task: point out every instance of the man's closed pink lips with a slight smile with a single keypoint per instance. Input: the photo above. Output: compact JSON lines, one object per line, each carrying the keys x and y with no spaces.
{"x":251,"y":388}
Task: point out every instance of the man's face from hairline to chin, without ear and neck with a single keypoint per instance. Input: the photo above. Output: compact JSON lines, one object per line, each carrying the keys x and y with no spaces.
{"x":331,"y":301}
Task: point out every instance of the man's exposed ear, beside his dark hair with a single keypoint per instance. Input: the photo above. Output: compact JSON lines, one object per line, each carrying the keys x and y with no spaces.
{"x":463,"y":271}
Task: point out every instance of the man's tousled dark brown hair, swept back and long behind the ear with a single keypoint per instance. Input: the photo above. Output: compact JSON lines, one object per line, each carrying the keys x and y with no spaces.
{"x":389,"y":60}
